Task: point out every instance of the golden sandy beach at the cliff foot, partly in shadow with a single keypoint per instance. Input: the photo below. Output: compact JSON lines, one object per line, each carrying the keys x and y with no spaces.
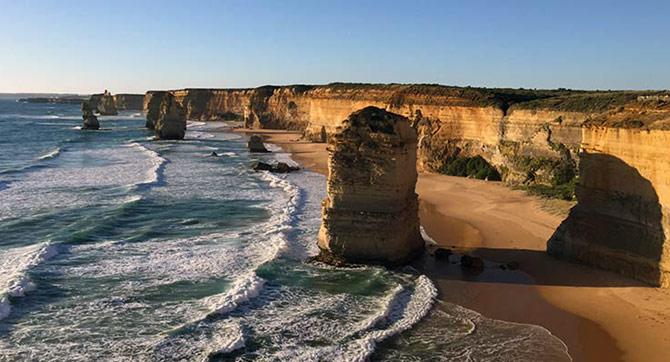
{"x":600,"y":316}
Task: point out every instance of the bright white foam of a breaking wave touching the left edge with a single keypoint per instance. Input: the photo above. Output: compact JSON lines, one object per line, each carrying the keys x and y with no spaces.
{"x":14,"y":266}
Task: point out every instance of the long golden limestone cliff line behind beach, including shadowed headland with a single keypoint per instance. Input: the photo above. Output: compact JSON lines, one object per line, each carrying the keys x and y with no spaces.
{"x":530,"y":137}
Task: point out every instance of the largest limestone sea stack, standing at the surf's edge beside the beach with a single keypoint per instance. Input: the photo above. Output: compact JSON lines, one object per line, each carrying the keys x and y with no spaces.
{"x":370,"y":214}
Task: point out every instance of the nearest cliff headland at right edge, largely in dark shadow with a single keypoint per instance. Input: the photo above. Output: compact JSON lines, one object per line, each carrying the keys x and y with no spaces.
{"x":622,"y":219}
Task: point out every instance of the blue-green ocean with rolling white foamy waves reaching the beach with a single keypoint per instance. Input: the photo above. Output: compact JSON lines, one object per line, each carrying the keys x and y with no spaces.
{"x":114,"y":246}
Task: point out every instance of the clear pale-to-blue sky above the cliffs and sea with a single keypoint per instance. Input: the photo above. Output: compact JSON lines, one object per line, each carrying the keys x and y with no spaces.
{"x":136,"y":45}
